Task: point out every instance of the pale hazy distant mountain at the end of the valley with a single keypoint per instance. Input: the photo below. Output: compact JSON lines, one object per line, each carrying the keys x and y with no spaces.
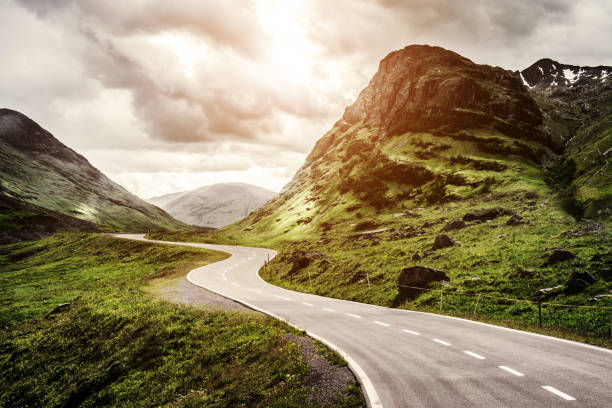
{"x":215,"y":206}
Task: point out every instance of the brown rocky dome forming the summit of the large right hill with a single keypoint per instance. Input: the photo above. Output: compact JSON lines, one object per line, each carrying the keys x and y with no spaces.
{"x":417,"y":86}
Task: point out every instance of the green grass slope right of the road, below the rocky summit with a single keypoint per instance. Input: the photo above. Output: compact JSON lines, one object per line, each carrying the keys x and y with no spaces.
{"x":488,"y":259}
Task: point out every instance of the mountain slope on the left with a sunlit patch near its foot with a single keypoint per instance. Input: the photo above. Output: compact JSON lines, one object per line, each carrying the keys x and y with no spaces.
{"x":38,"y":169}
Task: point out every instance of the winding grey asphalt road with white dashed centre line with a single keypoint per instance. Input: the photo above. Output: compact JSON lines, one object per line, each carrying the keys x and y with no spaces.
{"x":414,"y":359}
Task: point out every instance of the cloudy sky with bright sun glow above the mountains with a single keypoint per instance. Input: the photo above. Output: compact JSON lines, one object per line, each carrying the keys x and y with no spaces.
{"x":166,"y":96}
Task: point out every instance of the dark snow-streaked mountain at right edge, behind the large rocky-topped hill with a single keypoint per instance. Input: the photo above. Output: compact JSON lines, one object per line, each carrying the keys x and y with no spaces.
{"x":576,"y":102}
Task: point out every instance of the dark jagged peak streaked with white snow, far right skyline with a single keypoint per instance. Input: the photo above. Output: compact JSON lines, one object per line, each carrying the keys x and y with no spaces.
{"x":547,"y":73}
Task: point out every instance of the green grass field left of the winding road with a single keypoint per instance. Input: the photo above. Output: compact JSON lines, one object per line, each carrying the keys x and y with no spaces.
{"x":80,"y":329}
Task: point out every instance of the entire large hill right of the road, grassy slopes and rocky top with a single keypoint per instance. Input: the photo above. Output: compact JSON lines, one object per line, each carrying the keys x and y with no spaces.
{"x":411,"y":160}
